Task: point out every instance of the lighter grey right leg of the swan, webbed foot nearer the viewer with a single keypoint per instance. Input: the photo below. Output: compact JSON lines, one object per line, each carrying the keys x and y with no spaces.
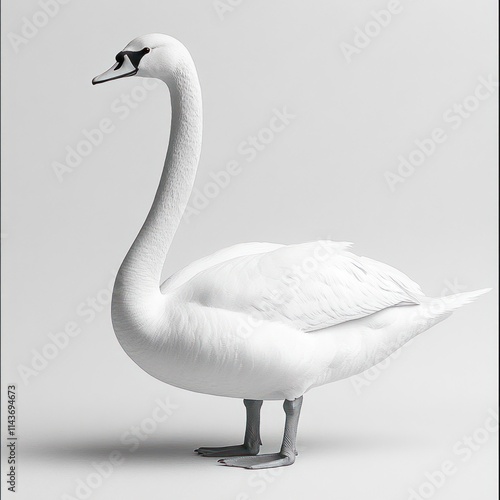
{"x":288,"y":451}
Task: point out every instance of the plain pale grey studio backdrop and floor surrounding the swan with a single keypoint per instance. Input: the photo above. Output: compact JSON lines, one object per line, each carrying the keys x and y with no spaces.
{"x":323,"y":176}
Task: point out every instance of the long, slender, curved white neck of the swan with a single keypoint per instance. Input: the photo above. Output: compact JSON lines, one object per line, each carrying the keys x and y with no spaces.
{"x":140,"y":274}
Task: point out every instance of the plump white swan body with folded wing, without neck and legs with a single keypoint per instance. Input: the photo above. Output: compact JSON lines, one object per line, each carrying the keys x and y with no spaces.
{"x":238,"y":327}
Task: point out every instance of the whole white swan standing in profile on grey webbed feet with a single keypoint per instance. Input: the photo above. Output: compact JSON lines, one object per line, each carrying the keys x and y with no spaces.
{"x":257,"y":321}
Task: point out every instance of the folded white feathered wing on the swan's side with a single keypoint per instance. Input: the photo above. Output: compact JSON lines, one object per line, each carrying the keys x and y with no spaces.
{"x":308,"y":286}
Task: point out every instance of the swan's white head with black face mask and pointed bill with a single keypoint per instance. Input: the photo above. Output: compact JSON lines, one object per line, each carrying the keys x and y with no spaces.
{"x":152,"y":56}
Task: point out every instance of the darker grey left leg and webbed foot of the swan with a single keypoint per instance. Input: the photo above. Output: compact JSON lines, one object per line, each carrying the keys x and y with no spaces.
{"x":251,"y":443}
